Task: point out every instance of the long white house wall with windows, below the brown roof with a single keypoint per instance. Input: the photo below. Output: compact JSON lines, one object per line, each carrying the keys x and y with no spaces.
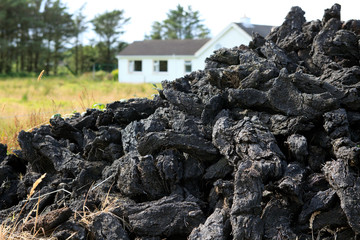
{"x":176,"y":69}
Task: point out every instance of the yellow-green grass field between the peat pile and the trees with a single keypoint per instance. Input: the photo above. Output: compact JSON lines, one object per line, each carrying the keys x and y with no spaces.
{"x":26,"y":102}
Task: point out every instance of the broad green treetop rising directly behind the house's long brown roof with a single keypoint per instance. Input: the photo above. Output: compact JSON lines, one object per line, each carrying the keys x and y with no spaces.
{"x":180,"y":24}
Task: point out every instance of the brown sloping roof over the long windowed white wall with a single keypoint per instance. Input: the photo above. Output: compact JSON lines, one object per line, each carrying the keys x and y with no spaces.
{"x":164,"y":47}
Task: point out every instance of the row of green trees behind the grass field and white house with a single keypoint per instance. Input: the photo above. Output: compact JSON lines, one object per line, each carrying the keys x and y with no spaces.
{"x":43,"y":34}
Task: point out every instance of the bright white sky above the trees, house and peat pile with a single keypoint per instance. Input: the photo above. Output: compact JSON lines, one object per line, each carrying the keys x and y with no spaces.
{"x":216,"y":15}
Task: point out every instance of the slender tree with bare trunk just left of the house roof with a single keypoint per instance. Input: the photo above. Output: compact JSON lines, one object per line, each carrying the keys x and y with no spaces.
{"x":108,"y":26}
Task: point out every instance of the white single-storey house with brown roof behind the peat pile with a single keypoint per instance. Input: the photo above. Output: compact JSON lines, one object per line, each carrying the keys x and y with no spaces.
{"x":156,"y":60}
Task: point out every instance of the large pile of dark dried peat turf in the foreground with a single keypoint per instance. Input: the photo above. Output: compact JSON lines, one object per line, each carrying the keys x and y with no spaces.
{"x":261,"y":144}
